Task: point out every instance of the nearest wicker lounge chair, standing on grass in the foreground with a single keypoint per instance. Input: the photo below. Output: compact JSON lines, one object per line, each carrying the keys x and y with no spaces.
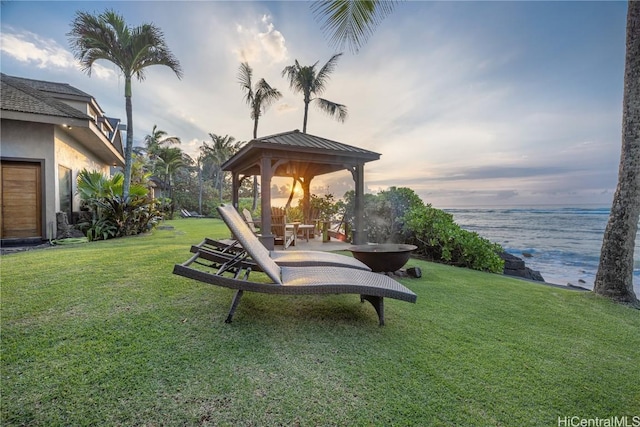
{"x":234,"y":274}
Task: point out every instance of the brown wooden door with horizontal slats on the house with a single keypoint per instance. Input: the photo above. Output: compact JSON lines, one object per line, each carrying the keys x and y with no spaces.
{"x":21,"y":196}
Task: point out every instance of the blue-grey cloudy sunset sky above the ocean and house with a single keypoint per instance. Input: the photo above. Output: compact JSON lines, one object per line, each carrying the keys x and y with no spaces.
{"x":469,"y":103}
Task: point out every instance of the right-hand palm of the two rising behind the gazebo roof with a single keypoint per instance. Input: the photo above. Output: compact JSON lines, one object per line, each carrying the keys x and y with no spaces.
{"x":308,"y":81}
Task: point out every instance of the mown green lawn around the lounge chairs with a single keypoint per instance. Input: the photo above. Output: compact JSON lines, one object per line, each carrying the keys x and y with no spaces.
{"x":103,"y":334}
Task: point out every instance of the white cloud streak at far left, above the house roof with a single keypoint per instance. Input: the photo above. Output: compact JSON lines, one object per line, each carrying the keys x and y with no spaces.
{"x":44,"y":53}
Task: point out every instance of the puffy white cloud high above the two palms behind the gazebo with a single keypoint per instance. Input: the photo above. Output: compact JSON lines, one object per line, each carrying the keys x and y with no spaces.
{"x":265,"y":44}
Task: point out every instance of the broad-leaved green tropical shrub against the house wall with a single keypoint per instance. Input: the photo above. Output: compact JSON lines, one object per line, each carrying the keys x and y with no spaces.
{"x":113,"y":215}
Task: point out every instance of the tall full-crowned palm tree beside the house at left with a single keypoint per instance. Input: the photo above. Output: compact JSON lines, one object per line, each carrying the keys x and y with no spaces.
{"x":107,"y":36}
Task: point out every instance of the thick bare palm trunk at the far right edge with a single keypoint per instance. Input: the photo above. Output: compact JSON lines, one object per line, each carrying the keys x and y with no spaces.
{"x":614,"y":278}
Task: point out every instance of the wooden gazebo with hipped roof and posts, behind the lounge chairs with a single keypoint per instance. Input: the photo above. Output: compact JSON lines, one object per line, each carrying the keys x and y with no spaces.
{"x":300,"y":156}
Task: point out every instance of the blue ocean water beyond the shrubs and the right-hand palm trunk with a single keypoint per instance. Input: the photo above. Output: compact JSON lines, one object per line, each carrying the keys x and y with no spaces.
{"x":564,"y":243}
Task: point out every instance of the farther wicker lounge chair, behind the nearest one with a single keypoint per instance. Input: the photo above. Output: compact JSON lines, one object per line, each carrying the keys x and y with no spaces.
{"x":230,"y":248}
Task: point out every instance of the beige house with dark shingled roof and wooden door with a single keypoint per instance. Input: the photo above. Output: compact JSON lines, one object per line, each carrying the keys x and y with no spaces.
{"x":49,"y":132}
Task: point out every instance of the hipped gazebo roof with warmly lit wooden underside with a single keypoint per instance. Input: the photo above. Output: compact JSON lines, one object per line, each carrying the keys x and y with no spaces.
{"x":297,"y":153}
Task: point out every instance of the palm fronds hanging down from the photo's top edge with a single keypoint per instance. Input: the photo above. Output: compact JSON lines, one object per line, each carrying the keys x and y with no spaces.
{"x":351,"y":21}
